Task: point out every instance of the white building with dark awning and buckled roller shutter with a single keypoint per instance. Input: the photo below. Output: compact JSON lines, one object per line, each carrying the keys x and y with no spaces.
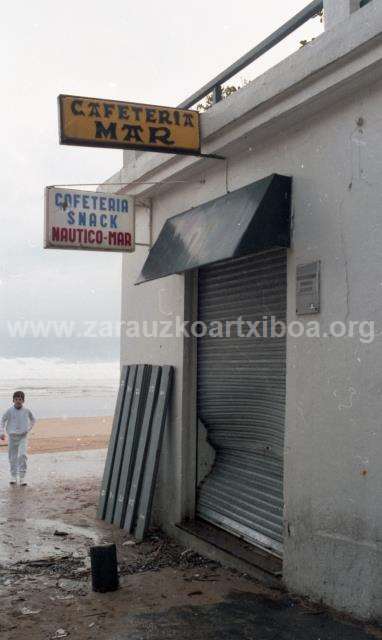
{"x":295,"y":422}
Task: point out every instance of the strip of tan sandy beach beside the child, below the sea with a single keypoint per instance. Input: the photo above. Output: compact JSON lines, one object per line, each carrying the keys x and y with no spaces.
{"x":72,"y":434}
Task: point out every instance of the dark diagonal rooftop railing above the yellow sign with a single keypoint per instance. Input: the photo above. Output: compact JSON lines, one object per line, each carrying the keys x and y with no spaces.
{"x":214,"y":86}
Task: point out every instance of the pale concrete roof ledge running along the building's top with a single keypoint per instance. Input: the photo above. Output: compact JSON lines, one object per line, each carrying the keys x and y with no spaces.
{"x":334,"y":49}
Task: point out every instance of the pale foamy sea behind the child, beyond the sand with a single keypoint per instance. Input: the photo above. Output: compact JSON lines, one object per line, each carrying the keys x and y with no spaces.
{"x":60,"y":387}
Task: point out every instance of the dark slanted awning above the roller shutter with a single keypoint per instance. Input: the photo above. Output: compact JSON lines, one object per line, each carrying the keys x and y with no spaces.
{"x":252,"y":219}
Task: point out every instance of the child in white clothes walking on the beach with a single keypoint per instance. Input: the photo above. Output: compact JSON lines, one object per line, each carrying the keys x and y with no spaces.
{"x":17,"y":422}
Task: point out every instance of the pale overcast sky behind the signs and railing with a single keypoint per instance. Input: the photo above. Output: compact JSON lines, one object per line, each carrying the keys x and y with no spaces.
{"x":151,"y":52}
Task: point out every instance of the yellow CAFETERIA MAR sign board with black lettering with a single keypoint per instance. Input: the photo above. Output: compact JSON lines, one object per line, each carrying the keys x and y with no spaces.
{"x":94,"y":122}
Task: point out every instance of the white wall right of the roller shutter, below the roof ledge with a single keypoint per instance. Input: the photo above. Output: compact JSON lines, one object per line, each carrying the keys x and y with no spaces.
{"x":333,"y":479}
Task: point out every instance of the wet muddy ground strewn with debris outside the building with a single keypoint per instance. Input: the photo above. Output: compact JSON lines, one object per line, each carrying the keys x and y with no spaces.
{"x":166,"y":591}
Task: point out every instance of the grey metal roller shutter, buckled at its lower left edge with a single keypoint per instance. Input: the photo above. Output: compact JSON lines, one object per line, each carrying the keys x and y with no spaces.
{"x":241,"y":398}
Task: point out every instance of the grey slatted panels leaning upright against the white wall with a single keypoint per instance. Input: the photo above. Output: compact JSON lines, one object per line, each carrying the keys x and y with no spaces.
{"x":131,"y":468}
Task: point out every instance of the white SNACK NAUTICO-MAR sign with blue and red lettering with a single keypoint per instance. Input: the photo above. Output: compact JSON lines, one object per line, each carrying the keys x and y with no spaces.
{"x":88,"y":220}
